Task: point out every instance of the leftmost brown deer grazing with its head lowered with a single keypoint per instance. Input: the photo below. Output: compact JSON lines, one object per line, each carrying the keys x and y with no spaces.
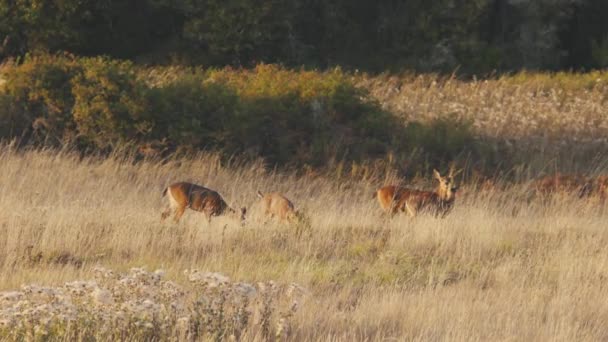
{"x":184,"y":195}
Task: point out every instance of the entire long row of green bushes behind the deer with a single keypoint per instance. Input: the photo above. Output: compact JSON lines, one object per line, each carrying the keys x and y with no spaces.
{"x":287,"y":117}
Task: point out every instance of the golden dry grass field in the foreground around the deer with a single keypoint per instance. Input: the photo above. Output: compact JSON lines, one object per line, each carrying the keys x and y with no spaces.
{"x":497,"y":268}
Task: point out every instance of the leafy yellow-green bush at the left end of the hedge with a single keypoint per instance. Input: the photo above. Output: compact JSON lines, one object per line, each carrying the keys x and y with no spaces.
{"x":92,"y":100}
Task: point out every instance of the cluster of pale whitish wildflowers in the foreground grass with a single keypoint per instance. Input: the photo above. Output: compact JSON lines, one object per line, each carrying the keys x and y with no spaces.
{"x":141,"y":305}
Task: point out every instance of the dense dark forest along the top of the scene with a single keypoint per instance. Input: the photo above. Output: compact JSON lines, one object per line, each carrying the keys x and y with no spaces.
{"x":470,"y":37}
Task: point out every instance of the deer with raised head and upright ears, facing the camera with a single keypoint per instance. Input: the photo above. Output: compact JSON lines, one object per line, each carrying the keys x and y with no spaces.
{"x":395,"y":199}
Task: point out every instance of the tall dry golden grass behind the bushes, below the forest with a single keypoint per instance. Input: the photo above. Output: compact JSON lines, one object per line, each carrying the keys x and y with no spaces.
{"x":546,"y":121}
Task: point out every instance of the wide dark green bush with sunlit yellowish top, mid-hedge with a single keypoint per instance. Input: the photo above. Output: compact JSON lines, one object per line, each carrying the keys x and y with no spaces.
{"x":288,"y":117}
